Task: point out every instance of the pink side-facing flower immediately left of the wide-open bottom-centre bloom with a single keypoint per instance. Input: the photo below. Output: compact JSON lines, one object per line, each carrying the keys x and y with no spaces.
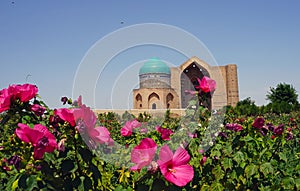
{"x":143,"y":154}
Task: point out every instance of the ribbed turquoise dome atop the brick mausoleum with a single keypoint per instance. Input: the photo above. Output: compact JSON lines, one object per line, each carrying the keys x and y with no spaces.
{"x":154,"y":65}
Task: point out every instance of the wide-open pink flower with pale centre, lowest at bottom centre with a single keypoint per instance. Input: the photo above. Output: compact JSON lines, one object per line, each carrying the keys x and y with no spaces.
{"x":175,"y":168}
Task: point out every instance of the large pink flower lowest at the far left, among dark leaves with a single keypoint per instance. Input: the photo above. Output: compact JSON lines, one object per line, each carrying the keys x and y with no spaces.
{"x":42,"y":140}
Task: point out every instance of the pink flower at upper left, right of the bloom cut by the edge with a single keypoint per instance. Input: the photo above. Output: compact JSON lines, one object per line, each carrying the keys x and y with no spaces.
{"x":23,"y":92}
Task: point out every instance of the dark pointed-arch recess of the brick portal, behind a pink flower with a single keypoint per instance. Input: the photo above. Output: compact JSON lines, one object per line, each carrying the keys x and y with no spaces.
{"x":188,"y":80}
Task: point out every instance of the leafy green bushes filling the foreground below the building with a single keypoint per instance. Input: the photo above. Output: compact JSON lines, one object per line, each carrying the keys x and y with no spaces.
{"x":222,"y":159}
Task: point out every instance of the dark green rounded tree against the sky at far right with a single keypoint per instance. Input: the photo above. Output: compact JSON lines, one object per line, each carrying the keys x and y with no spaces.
{"x":283,"y":93}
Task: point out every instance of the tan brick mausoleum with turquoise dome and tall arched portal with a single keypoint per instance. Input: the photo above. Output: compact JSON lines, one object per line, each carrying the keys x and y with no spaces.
{"x":164,"y":87}
